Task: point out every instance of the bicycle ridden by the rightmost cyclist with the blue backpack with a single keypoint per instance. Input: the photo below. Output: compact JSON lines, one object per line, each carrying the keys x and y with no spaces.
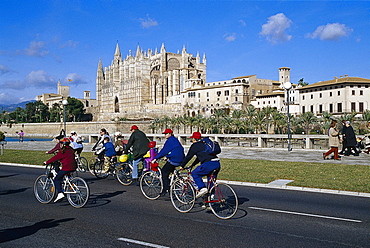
{"x":221,"y":198}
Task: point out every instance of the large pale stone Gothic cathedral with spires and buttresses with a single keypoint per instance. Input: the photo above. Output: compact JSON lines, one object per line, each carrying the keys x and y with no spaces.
{"x":147,"y":84}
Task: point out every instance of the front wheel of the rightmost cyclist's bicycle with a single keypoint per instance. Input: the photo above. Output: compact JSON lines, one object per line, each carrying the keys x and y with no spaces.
{"x":182,"y":195}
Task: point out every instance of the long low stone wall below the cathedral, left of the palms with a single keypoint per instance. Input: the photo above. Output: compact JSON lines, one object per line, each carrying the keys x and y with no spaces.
{"x":82,"y":128}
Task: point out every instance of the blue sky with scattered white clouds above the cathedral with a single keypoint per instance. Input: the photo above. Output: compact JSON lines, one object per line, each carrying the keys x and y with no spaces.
{"x":42,"y":41}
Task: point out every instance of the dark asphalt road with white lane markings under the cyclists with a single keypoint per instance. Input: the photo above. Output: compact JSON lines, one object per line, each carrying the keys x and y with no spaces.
{"x":119,"y":216}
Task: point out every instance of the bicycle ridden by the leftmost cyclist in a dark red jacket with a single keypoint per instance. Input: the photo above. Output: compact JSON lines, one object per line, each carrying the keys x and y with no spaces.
{"x":75,"y":188}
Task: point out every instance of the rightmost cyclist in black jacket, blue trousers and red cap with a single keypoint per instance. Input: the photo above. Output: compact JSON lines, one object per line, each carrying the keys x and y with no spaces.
{"x":208,"y":162}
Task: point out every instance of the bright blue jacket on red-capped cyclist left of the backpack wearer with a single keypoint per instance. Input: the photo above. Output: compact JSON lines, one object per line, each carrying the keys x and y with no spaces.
{"x":173,"y":150}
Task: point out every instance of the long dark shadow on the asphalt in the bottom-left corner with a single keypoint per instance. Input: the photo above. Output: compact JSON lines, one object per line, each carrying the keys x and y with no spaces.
{"x":10,"y":234}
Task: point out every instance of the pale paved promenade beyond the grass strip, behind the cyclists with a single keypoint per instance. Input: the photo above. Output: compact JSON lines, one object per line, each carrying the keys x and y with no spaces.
{"x":272,"y":154}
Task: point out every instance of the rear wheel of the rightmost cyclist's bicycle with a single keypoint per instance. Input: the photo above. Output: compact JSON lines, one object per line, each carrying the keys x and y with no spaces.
{"x":223,"y":201}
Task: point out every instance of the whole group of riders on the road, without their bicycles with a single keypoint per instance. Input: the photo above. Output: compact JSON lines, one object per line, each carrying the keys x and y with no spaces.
{"x":143,"y":150}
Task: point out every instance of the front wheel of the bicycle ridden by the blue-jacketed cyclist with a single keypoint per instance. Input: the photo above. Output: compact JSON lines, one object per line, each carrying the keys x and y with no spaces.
{"x":151,"y":185}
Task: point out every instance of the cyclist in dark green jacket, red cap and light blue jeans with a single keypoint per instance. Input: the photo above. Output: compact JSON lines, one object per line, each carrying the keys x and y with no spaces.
{"x":139,"y":142}
